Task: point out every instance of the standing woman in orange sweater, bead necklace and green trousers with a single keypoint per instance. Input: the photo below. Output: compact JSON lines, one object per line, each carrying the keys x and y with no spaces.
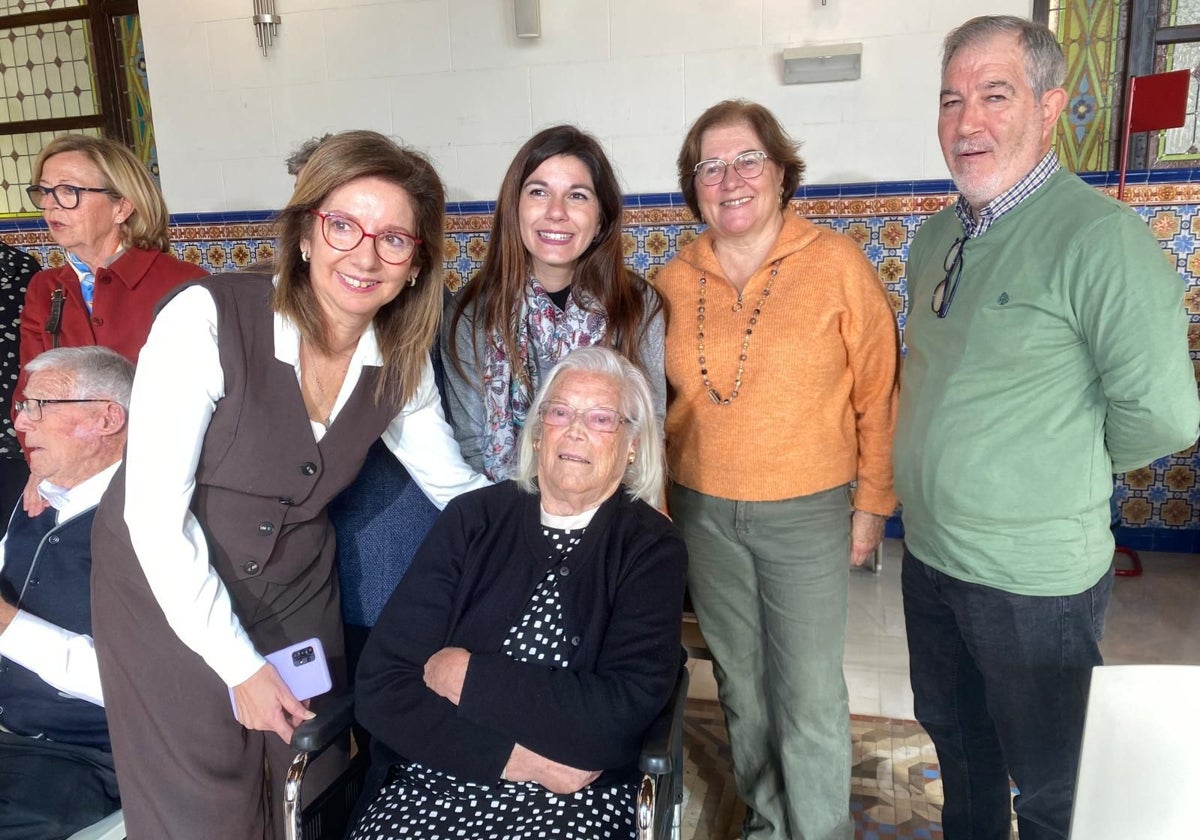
{"x":783,"y":355}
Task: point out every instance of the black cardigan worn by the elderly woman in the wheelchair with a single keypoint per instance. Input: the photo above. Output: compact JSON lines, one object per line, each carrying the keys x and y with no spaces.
{"x":471,"y":581}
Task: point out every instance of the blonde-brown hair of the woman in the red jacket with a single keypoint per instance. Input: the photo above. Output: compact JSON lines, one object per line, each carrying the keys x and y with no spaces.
{"x":125,"y":177}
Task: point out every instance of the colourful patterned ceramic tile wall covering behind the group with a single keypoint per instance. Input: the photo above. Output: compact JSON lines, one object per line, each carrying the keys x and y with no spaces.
{"x":1160,"y":506}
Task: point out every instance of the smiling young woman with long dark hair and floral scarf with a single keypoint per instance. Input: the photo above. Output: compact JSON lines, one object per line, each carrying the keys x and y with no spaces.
{"x":554,"y":280}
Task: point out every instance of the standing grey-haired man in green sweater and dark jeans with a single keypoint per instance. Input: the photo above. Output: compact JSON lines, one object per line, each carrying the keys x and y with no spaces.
{"x":1047,"y":350}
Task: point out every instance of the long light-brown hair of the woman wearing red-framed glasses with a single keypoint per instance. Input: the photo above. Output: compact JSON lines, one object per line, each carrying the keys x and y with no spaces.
{"x":407,"y":327}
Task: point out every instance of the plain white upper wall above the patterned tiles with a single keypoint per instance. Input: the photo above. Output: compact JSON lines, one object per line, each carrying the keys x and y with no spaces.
{"x":452,"y":79}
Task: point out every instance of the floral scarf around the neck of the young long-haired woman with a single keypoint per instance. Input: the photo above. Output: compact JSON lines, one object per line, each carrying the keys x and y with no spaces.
{"x":545,"y":334}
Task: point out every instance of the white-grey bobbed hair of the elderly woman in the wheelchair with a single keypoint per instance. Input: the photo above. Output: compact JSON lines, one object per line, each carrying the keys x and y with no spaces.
{"x":645,"y":478}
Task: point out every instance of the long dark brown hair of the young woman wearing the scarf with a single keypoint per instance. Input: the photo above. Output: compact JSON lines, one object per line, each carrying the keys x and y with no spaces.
{"x":499,"y":289}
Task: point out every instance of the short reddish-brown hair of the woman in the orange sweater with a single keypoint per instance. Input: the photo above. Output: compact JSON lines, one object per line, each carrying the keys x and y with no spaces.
{"x":776,"y":142}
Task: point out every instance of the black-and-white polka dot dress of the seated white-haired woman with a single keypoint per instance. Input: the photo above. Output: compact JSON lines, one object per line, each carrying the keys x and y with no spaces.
{"x":422,"y":803}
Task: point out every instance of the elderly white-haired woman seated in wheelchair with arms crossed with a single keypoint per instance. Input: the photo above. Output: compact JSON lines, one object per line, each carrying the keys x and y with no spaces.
{"x":512,"y":677}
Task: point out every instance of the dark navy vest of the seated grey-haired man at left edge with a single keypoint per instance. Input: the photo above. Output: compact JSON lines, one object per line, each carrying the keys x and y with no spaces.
{"x":49,"y":568}
